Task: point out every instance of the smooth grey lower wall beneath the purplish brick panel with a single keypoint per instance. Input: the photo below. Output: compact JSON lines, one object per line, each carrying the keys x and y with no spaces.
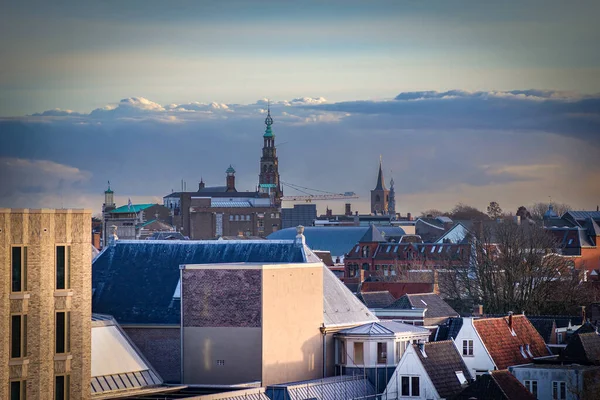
{"x":240,"y":348}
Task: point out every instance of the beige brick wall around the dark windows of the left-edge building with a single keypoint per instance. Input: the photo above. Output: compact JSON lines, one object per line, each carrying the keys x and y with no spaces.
{"x":41,"y":231}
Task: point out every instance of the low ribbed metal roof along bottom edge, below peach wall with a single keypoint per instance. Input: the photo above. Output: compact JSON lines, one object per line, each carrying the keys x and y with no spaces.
{"x":331,"y":388}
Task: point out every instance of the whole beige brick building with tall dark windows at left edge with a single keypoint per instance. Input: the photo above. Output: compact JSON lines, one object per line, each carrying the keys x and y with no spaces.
{"x":45,"y":304}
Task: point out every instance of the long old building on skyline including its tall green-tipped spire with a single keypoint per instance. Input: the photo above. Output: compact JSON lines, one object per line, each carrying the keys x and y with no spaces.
{"x":212,"y":212}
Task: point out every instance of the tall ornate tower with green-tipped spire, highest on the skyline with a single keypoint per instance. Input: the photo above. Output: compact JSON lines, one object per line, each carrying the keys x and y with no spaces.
{"x":268,"y":179}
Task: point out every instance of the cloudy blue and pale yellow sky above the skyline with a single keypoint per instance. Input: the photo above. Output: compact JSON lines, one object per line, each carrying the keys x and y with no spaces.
{"x":465,"y":101}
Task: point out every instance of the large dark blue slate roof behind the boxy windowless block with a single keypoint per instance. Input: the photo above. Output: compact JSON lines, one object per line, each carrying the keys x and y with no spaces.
{"x":134,"y":281}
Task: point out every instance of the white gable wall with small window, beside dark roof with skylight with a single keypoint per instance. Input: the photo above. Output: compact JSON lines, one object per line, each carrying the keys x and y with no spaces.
{"x":410,"y":365}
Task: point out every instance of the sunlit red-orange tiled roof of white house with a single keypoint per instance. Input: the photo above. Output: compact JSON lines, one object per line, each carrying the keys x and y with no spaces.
{"x":504,"y":347}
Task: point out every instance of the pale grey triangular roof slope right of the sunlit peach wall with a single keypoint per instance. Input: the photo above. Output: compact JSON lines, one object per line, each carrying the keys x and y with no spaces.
{"x":340,"y":306}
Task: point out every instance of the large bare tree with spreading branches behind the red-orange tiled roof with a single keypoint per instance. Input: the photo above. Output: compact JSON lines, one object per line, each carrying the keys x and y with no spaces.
{"x":512,"y":267}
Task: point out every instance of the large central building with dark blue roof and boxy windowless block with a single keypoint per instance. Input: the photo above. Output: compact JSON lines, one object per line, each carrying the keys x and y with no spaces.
{"x":139,"y":283}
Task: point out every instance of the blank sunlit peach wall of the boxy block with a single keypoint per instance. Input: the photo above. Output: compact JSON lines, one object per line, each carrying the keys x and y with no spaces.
{"x":292,"y":347}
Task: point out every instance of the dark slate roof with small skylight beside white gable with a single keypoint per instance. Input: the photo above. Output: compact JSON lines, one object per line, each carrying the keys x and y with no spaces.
{"x":441,"y":363}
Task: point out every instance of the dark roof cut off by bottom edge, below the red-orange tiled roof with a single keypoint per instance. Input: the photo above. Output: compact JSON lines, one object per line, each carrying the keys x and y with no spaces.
{"x":499,"y":385}
